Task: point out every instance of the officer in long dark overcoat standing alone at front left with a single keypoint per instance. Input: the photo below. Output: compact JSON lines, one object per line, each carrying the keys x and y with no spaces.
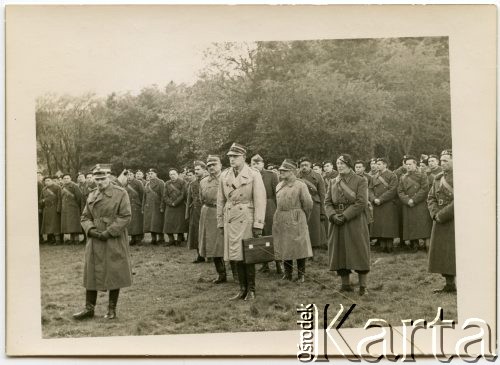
{"x":107,"y":261}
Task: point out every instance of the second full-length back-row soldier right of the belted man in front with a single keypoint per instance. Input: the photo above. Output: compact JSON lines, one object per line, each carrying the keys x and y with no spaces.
{"x":412,"y":191}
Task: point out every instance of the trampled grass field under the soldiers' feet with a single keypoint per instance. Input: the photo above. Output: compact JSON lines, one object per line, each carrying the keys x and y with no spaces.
{"x":170,"y":295}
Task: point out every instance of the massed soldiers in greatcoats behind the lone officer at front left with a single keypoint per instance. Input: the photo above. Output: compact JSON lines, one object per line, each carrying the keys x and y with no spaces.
{"x":304,"y":206}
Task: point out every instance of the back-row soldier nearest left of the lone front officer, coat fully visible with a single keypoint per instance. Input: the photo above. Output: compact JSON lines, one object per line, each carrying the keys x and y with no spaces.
{"x":71,"y":209}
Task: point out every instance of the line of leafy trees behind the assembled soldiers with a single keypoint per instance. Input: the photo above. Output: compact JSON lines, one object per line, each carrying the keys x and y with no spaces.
{"x":368,"y":97}
